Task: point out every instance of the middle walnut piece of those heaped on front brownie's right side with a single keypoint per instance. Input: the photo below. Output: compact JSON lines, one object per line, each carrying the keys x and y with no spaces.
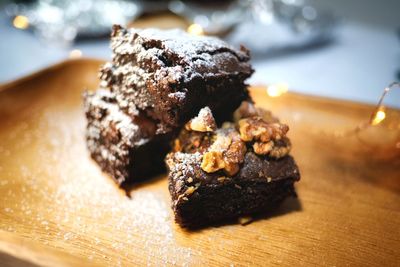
{"x":257,"y":129}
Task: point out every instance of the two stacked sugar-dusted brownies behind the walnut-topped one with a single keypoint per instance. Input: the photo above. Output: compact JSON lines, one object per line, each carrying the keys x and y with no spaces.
{"x":156,"y":81}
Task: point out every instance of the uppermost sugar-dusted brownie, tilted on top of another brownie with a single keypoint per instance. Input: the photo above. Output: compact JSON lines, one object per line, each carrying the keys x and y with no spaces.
{"x":170,"y":75}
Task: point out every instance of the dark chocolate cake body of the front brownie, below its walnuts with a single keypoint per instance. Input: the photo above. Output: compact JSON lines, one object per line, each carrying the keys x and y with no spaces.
{"x":200,"y":198}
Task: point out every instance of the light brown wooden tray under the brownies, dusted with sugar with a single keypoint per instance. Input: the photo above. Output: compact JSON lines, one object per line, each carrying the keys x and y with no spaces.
{"x":58,"y":209}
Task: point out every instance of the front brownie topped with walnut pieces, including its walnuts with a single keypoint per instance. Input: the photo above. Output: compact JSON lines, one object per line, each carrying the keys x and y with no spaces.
{"x":239,"y":169}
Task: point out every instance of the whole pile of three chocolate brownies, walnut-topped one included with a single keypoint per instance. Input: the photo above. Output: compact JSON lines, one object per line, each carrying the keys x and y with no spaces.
{"x":168,"y":91}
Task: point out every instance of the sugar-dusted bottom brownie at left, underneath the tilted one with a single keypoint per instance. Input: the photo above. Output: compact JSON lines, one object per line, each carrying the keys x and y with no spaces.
{"x":125,"y":147}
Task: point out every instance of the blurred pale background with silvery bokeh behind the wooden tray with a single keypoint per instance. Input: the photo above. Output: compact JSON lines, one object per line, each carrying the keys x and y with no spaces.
{"x":341,"y":49}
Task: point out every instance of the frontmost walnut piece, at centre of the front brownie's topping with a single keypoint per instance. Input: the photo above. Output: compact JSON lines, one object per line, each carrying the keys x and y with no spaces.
{"x":226,"y":153}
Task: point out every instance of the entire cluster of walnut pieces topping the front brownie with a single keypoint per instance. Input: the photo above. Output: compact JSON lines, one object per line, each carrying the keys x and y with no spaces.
{"x":225,"y":148}
